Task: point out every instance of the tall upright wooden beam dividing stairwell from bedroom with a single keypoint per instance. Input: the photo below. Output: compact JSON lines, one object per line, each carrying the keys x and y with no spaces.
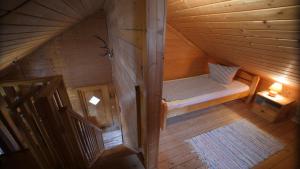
{"x":153,"y":71}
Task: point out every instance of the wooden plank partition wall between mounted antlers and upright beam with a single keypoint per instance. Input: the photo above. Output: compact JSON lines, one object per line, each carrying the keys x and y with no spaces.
{"x":126,"y":30}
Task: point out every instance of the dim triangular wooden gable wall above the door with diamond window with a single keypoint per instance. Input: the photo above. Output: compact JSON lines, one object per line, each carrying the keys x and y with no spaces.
{"x":76,"y":54}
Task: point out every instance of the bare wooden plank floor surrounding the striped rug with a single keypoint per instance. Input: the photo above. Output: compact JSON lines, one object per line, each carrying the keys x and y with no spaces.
{"x":176,"y":154}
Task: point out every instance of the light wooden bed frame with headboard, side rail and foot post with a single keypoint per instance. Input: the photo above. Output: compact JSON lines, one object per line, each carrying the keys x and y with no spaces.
{"x":242,"y":76}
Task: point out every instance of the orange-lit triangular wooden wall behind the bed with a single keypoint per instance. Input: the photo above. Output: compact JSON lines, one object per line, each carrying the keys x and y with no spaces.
{"x":181,"y":57}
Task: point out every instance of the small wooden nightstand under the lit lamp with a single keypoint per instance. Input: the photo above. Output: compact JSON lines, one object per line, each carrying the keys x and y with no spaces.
{"x":271,"y":108}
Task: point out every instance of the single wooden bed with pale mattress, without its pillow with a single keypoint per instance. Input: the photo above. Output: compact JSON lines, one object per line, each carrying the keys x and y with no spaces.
{"x":186,"y":95}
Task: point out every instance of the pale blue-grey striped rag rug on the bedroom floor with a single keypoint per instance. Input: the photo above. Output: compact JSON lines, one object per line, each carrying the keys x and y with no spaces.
{"x":239,"y":145}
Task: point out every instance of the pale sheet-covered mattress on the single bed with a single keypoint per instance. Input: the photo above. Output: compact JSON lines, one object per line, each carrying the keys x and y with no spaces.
{"x":197,"y":89}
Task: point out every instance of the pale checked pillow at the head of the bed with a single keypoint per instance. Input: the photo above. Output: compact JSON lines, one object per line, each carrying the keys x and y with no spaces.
{"x":222,"y":74}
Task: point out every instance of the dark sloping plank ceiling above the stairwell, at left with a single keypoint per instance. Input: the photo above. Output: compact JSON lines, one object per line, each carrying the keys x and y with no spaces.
{"x":26,"y":24}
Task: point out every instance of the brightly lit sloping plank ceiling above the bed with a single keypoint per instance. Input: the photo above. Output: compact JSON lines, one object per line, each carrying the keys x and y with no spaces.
{"x":259,"y":35}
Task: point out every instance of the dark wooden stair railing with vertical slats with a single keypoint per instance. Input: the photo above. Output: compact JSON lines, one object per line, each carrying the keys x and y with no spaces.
{"x":41,"y":116}
